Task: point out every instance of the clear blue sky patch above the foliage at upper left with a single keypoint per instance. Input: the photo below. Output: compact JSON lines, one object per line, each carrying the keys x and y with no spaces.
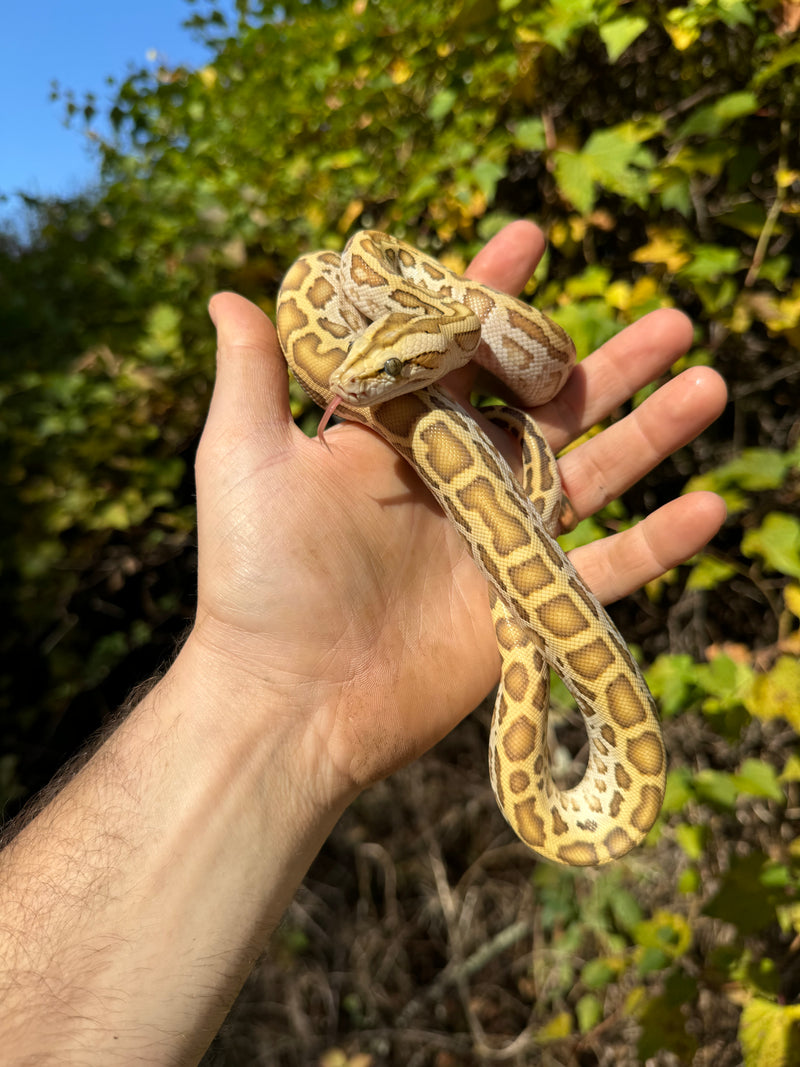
{"x":77,"y":43}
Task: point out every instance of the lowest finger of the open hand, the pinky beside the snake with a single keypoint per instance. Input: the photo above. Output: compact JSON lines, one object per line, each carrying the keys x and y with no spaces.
{"x":622,"y":564}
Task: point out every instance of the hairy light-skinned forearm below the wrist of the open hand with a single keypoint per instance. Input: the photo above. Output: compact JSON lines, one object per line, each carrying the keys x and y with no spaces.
{"x":134,"y":906}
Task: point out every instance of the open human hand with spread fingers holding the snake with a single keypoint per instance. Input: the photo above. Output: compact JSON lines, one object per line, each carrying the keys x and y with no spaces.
{"x":329,"y":578}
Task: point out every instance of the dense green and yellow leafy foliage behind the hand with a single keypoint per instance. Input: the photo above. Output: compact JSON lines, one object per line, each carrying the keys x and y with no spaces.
{"x":659,"y":148}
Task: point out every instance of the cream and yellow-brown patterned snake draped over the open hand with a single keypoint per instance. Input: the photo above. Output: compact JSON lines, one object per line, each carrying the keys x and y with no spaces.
{"x":359,"y":330}
